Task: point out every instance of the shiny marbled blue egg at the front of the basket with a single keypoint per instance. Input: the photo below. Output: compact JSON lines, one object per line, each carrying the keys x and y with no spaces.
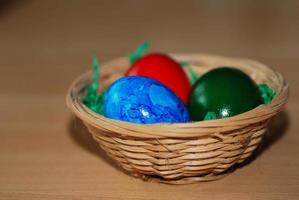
{"x":143,"y":100}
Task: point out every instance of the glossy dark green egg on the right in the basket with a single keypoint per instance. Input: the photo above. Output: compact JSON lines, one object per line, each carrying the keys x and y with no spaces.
{"x":224,"y":92}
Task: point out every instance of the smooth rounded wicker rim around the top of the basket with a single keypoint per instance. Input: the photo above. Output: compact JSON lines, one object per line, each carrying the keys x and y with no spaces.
{"x":176,"y":130}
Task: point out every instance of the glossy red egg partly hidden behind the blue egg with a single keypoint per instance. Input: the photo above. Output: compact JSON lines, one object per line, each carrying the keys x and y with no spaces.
{"x":164,"y":69}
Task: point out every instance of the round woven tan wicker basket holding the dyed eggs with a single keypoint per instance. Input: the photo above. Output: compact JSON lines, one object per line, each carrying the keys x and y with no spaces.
{"x":181,"y":153}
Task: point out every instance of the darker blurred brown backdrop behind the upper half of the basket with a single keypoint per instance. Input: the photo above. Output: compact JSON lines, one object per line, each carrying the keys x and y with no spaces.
{"x":45,"y":44}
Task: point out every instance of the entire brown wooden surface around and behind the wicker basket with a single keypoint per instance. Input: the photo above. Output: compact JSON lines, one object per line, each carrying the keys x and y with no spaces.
{"x":47,"y":154}
